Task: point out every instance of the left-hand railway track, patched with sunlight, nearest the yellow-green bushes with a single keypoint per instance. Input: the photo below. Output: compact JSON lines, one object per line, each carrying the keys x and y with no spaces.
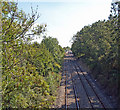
{"x":70,"y":81}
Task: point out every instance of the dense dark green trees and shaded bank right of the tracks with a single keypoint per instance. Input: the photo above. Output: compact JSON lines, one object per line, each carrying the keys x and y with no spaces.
{"x":97,"y":45}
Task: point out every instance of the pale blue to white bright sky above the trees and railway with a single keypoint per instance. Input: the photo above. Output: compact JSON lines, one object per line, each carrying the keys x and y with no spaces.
{"x":64,"y":18}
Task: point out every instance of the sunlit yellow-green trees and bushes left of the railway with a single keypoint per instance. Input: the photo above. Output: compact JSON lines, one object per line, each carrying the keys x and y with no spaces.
{"x":30,"y":70}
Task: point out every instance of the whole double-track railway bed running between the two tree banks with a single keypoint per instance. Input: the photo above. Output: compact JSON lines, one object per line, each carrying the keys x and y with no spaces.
{"x":80,"y":90}
